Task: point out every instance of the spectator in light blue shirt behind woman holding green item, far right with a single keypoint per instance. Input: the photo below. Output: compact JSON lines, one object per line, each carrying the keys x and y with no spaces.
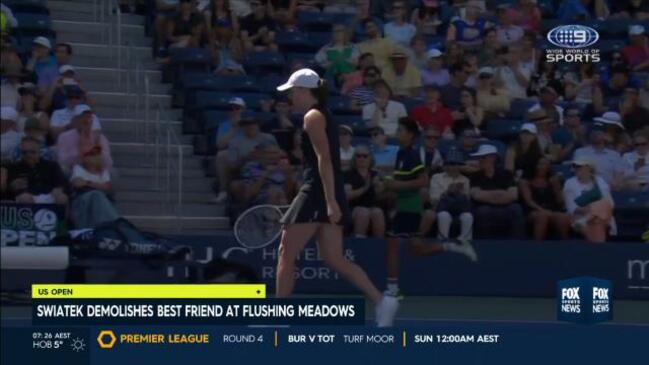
{"x":607,"y":162}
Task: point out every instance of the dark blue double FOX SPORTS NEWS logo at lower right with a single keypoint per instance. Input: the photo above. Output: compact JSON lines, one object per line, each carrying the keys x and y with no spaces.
{"x":584,"y":300}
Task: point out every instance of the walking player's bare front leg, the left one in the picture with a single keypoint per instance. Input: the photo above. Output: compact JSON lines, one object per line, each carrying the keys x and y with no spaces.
{"x":294,"y":238}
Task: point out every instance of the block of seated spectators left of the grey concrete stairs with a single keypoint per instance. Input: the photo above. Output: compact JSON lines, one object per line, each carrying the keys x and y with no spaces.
{"x":53,"y":150}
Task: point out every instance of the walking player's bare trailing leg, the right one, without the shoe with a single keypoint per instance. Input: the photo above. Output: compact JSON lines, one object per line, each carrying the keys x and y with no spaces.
{"x":330,"y":245}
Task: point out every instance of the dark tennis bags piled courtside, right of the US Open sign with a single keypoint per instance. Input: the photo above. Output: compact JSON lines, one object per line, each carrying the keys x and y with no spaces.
{"x":139,"y":256}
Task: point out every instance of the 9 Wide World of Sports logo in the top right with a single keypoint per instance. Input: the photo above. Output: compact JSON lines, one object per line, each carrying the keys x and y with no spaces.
{"x":573,"y":42}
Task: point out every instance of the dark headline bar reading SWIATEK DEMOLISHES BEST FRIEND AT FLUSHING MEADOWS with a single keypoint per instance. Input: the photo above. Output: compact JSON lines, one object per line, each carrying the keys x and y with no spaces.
{"x":270,"y":311}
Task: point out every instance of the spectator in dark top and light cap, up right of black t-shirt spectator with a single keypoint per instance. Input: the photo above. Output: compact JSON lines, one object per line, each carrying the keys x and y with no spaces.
{"x":523,"y":155}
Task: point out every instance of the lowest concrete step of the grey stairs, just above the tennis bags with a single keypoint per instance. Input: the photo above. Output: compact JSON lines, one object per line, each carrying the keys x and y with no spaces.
{"x":189,"y":224}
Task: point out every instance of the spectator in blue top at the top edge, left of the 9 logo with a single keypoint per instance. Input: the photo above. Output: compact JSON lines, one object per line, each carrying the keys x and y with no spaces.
{"x":469,"y":30}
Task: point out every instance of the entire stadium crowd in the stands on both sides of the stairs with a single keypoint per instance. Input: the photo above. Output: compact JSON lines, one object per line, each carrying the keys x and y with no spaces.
{"x":513,"y":146}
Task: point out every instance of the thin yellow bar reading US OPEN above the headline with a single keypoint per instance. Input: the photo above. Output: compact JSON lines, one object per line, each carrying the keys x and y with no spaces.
{"x":148,"y":291}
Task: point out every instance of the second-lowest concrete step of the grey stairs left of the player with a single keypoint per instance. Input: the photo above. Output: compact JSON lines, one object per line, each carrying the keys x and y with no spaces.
{"x":156,"y":208}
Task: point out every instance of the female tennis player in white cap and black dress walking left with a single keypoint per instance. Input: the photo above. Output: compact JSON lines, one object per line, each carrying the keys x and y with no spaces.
{"x":320,"y":208}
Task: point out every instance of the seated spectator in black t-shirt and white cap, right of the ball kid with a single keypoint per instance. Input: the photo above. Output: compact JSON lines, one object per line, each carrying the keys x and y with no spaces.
{"x":495,"y":196}
